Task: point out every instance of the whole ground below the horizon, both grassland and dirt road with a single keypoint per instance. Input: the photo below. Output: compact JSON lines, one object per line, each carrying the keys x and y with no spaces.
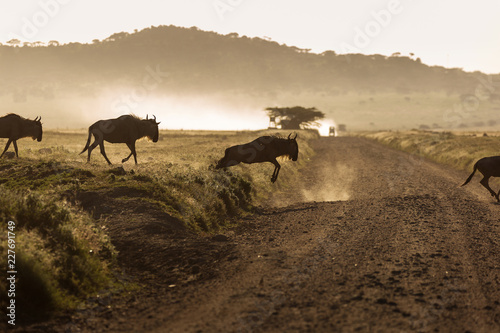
{"x":368,"y":232}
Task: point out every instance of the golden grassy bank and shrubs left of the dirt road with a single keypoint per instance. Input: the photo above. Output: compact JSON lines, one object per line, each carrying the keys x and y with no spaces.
{"x":64,"y":255}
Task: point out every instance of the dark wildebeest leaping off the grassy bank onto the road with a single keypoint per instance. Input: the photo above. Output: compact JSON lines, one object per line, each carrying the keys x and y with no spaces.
{"x":263,"y":149}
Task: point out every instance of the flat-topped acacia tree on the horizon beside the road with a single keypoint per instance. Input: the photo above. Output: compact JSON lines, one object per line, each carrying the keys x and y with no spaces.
{"x":296,"y":117}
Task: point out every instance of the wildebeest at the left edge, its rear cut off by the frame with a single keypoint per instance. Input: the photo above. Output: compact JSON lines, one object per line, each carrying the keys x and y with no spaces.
{"x":15,"y":127}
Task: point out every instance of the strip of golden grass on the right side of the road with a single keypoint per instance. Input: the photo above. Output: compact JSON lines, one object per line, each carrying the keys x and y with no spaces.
{"x":460,"y":150}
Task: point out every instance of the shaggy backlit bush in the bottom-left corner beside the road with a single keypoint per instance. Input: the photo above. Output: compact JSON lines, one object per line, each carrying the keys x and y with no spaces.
{"x":61,"y":255}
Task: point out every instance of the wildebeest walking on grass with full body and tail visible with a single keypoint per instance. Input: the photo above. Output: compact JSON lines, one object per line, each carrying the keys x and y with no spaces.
{"x":124,"y":129}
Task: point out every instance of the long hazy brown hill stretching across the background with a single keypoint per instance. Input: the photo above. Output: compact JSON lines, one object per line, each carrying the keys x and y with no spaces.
{"x":189,"y":61}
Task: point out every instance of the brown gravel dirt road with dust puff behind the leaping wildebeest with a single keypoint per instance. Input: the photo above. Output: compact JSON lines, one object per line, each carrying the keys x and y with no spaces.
{"x":370,"y":240}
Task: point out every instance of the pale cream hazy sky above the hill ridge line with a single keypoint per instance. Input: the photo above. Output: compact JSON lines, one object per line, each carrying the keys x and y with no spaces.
{"x":451,"y":33}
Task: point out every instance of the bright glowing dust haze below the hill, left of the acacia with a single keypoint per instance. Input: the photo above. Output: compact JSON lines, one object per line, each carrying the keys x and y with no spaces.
{"x":189,"y":112}
